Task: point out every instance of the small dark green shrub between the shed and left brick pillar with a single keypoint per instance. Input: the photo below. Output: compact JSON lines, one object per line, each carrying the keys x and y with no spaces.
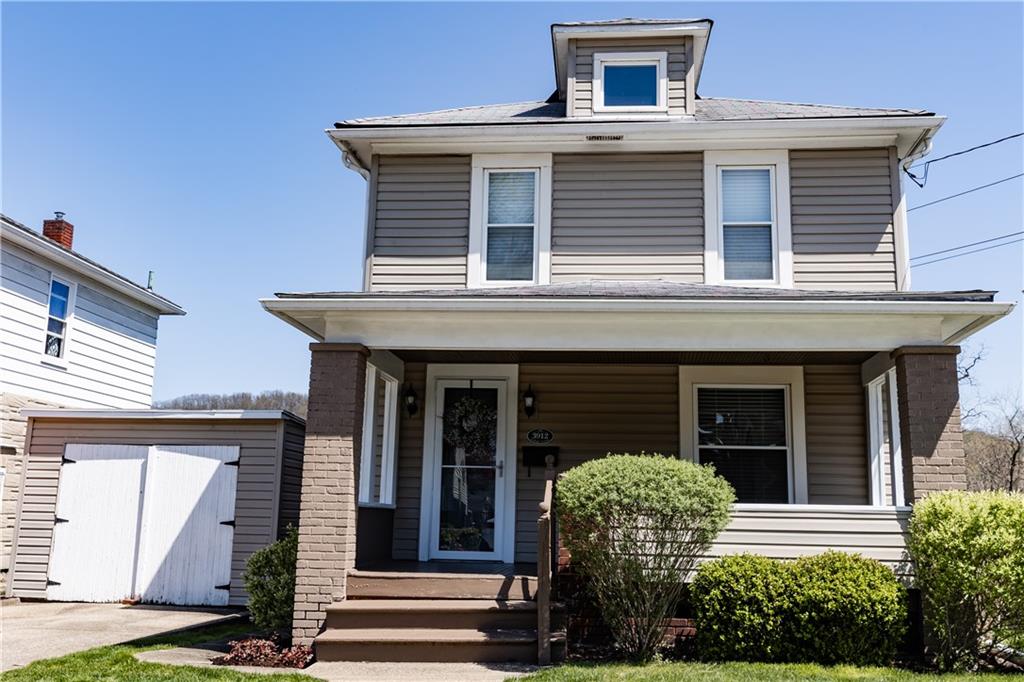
{"x":270,"y":579}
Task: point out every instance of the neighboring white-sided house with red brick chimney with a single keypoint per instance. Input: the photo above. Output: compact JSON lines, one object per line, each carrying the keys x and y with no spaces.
{"x":73,"y":334}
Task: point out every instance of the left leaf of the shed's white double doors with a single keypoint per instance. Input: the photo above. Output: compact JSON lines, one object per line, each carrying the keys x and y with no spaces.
{"x":96,"y":533}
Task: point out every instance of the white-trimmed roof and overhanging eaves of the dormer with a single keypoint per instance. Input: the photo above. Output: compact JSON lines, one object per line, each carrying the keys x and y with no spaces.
{"x":562,"y":34}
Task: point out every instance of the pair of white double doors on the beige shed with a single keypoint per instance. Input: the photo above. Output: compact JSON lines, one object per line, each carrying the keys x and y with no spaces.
{"x":154,"y":523}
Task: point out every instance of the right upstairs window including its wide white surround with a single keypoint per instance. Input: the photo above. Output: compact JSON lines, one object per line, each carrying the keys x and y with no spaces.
{"x":748,"y":232}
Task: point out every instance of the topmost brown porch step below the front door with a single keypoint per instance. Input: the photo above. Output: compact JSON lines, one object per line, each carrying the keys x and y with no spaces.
{"x":397,"y":585}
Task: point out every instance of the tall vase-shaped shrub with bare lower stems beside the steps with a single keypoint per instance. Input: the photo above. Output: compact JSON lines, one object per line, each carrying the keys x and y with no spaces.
{"x":634,"y":526}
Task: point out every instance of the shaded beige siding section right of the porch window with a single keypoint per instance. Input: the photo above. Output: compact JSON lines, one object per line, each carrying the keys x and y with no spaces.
{"x":836,"y":419}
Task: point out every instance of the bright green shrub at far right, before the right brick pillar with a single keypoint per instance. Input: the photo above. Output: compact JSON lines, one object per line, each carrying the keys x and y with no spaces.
{"x":968,"y":553}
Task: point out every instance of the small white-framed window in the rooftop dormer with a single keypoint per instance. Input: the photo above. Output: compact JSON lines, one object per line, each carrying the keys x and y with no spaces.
{"x":628,"y":82}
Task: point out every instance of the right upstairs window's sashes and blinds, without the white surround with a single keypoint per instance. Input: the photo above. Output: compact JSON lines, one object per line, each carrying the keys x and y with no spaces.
{"x":748,"y":224}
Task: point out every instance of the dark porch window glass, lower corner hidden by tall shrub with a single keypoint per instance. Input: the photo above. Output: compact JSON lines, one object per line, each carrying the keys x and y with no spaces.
{"x":743,"y":433}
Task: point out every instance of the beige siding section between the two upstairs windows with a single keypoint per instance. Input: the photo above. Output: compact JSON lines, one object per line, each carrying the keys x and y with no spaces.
{"x":628,"y":217}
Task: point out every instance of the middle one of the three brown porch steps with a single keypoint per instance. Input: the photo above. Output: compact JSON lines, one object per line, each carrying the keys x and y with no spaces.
{"x":445,"y":614}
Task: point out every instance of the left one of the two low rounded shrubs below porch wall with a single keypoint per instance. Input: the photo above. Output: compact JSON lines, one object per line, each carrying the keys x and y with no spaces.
{"x":740,"y":603}
